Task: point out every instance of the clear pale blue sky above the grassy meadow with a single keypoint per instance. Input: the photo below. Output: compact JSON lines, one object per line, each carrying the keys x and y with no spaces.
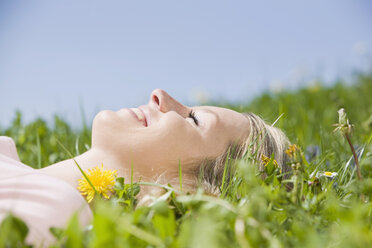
{"x":56,"y":55}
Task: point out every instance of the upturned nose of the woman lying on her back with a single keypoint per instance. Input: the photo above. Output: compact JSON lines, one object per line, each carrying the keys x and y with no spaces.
{"x":164,"y":102}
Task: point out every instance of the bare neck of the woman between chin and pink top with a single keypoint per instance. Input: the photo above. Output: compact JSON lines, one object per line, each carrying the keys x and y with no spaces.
{"x":68,"y":171}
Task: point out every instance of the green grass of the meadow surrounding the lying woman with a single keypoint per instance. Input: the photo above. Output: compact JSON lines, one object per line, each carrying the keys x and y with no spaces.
{"x":317,"y":212}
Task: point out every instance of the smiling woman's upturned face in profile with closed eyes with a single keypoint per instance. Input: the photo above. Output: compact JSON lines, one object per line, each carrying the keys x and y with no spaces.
{"x":165,"y":132}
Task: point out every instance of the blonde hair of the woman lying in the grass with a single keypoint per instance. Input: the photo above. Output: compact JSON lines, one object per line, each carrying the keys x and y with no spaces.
{"x":261,"y":139}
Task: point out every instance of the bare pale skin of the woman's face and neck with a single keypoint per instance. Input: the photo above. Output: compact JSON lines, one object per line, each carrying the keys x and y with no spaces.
{"x":154,"y":139}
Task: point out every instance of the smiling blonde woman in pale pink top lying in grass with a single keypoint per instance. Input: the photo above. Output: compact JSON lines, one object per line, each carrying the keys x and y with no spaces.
{"x":155,"y":140}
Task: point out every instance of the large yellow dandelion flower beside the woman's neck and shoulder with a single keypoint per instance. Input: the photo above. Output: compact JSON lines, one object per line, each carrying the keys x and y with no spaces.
{"x":102,"y":180}
